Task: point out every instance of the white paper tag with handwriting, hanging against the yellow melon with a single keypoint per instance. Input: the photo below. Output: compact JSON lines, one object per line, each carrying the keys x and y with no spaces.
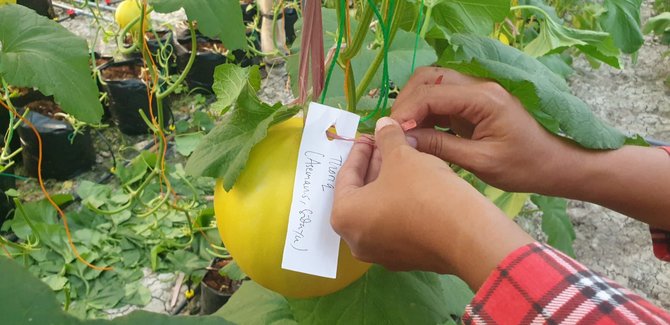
{"x":312,"y":246}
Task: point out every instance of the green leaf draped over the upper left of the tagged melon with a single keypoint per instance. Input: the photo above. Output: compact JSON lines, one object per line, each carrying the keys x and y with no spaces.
{"x":224,"y":151}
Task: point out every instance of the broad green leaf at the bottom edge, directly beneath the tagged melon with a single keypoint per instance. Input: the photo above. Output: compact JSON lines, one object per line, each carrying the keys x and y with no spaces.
{"x":379,"y":296}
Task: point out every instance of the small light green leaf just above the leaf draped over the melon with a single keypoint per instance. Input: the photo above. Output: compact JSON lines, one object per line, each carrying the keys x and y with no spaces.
{"x":229,"y":82}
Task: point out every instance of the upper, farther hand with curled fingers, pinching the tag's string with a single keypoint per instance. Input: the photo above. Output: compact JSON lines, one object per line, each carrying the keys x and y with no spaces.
{"x":497,"y":139}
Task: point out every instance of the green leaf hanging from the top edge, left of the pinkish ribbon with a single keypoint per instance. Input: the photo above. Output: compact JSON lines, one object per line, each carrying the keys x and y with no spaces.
{"x":220,"y":19}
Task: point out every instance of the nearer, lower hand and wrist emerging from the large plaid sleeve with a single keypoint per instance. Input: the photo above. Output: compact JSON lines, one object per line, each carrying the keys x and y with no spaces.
{"x":415,"y":213}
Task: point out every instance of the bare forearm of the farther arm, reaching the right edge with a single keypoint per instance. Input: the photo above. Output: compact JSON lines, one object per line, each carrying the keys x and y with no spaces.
{"x":632,"y":180}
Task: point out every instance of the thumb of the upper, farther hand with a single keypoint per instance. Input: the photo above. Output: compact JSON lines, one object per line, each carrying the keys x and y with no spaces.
{"x":448,"y":147}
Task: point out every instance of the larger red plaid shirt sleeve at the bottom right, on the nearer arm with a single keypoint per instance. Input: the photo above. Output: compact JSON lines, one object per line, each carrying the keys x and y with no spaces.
{"x":537,"y":284}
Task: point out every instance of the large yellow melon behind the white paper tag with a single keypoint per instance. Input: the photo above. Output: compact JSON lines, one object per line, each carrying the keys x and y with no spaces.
{"x":253,"y":218}
